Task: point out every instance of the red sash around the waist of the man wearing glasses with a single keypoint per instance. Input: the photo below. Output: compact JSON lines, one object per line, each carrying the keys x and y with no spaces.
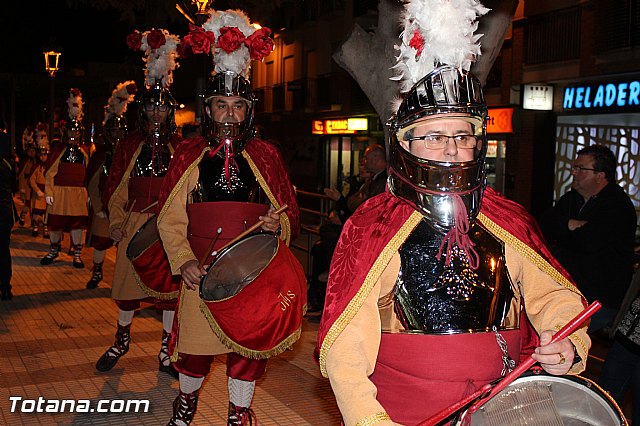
{"x":419,"y":375}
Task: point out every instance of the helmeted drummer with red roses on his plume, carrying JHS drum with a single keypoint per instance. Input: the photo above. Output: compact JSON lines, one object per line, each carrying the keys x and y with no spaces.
{"x":224,"y":181}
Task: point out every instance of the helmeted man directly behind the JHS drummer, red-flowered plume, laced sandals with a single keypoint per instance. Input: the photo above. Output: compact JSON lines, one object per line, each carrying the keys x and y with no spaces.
{"x":138,"y":168}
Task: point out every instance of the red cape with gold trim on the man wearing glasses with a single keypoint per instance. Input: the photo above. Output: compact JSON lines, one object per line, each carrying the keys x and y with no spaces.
{"x":378,"y":220}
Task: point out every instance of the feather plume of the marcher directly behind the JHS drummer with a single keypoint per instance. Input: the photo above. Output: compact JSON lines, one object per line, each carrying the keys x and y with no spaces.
{"x":162,"y":61}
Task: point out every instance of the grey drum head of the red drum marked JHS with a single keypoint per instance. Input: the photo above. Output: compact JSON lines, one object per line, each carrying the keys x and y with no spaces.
{"x":237,"y":266}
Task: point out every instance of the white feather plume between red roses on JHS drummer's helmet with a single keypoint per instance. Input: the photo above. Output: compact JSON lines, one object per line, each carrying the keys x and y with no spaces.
{"x":238,"y":61}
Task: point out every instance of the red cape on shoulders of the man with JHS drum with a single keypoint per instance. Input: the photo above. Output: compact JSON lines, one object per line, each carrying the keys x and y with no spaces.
{"x":267,"y":159}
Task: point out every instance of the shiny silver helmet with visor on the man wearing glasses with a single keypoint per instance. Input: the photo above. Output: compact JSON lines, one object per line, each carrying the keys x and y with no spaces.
{"x":428,"y":185}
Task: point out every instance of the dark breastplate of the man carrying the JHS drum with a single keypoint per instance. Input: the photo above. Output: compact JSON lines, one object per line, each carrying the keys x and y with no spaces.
{"x":213,"y":185}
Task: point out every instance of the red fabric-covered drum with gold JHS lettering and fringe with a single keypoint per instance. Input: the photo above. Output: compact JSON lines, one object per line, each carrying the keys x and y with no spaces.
{"x":255,"y":291}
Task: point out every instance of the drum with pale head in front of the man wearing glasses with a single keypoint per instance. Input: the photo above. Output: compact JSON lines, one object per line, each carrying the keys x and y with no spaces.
{"x":550,"y":400}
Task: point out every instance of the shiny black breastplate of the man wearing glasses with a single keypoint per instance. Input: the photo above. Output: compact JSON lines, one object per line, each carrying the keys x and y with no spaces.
{"x":432,"y":298}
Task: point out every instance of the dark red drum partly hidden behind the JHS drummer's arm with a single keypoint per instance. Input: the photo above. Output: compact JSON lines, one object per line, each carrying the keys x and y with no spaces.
{"x":146,"y":253}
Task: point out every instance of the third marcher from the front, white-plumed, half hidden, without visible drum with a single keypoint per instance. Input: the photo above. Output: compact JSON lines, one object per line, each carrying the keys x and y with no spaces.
{"x":114,"y":130}
